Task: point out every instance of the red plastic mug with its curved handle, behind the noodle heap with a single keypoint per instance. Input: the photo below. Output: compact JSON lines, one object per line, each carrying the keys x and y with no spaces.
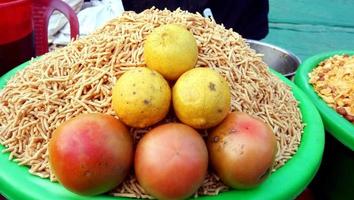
{"x":24,"y":29}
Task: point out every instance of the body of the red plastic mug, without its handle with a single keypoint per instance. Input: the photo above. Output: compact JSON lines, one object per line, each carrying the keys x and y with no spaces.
{"x":16,"y":44}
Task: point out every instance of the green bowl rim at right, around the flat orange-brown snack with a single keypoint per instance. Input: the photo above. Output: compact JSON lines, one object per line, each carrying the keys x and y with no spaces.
{"x":334,"y":123}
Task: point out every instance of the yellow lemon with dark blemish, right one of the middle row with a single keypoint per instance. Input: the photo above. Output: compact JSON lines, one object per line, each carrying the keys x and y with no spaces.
{"x":201,"y":98}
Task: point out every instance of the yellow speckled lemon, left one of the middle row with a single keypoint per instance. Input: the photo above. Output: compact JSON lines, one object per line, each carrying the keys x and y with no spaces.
{"x":141,"y":97}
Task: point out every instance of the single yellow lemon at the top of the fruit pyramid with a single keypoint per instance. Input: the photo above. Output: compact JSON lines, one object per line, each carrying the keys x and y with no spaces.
{"x":171,"y":50}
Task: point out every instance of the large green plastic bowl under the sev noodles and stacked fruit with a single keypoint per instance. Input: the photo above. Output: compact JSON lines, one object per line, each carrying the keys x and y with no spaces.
{"x":286,"y":183}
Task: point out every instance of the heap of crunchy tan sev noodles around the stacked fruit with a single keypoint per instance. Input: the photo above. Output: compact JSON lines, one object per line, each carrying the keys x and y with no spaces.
{"x":78,"y":79}
